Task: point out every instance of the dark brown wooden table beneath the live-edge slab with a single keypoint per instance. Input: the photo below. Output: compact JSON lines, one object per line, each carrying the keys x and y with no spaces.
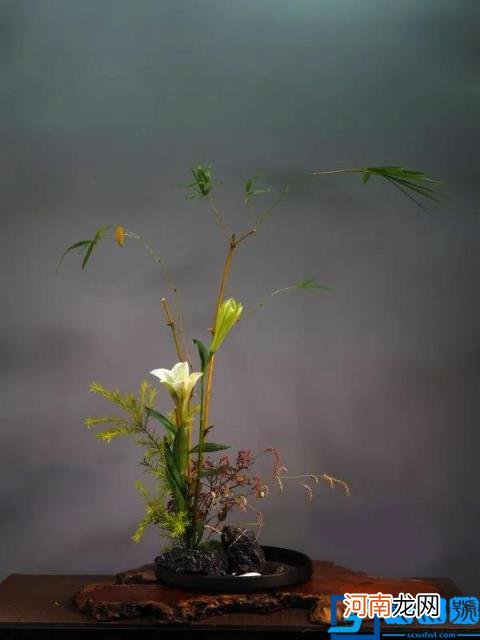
{"x":39,"y":606}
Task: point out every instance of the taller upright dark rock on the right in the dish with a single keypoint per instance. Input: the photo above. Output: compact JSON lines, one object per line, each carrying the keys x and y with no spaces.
{"x":243,"y":550}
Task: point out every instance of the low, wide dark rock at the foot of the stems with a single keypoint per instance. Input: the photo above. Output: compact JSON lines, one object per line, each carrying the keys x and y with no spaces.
{"x":207,"y":563}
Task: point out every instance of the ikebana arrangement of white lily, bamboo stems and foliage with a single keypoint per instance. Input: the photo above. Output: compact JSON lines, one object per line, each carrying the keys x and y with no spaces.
{"x":197,"y":486}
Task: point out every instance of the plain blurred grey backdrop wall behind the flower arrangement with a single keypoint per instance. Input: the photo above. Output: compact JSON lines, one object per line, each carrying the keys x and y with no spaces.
{"x":104,"y":106}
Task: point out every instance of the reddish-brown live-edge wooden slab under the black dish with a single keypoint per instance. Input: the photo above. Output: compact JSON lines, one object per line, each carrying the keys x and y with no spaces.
{"x":135,"y":594}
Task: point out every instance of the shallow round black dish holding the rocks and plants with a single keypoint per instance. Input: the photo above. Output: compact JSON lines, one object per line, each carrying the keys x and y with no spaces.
{"x":297,"y":568}
